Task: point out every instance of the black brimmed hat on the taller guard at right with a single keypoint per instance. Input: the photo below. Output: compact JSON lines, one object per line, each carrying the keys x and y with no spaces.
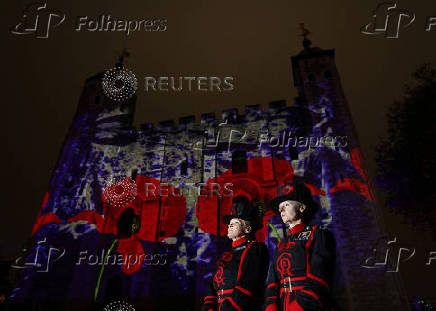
{"x":294,"y":192}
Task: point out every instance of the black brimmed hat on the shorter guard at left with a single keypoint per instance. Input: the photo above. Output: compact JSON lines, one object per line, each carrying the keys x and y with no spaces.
{"x":243,"y":209}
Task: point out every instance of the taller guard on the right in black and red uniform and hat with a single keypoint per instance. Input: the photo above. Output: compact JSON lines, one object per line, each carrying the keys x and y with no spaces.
{"x":301,"y":270}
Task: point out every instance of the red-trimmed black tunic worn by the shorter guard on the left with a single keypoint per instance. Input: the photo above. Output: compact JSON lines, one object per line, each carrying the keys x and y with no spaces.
{"x":238,"y":284}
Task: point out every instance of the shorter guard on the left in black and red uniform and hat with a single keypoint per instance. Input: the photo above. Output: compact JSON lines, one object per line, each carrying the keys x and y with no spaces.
{"x":238,"y":283}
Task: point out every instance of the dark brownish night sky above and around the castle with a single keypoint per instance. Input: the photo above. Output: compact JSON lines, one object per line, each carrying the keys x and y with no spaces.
{"x":249,"y":40}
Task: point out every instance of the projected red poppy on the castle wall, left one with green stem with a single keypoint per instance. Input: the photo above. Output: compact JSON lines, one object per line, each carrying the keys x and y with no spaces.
{"x":151,"y":196}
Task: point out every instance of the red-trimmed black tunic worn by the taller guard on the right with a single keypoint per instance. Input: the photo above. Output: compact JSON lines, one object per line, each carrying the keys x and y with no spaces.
{"x":301,"y":270}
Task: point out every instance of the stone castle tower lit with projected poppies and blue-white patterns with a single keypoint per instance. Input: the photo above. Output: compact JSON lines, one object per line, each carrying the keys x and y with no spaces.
{"x":99,"y":201}
